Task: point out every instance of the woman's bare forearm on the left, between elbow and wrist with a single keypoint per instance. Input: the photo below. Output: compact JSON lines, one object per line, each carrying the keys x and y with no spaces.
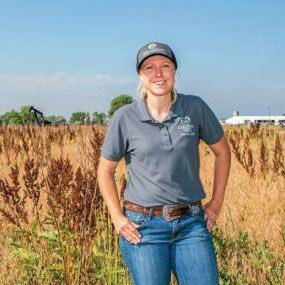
{"x":108,"y":189}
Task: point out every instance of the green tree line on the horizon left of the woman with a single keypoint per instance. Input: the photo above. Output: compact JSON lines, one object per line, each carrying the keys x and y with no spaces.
{"x":23,"y":116}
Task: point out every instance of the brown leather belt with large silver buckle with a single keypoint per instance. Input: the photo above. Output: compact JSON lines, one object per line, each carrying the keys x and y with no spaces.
{"x":169,"y":212}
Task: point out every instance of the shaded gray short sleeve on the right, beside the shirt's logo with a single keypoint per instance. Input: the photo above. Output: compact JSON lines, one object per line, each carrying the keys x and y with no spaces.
{"x":210,"y":129}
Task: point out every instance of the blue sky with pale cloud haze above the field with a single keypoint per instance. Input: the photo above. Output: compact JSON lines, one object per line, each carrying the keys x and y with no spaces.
{"x":64,"y":56}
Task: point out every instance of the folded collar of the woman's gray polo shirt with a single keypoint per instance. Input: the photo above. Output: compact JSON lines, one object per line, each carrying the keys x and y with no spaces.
{"x":175,"y":111}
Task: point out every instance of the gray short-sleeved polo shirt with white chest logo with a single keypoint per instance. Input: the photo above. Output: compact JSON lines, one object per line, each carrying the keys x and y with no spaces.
{"x":162,"y":158}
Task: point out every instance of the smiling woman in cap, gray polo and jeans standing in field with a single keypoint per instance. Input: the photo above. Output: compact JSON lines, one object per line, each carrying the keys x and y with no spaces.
{"x":162,"y":225}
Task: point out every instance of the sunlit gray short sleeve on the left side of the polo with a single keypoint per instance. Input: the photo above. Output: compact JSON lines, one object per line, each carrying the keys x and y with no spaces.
{"x":115,"y":143}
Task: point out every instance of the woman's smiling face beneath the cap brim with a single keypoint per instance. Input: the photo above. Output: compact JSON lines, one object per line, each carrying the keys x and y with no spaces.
{"x":157,"y":74}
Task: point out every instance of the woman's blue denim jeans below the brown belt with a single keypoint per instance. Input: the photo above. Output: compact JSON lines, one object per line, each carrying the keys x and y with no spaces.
{"x":183,"y":246}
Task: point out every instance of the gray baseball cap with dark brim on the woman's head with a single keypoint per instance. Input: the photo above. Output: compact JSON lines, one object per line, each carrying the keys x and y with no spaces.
{"x":155,"y":48}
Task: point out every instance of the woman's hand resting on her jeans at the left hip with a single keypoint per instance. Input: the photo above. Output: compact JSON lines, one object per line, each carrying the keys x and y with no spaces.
{"x":127,"y":229}
